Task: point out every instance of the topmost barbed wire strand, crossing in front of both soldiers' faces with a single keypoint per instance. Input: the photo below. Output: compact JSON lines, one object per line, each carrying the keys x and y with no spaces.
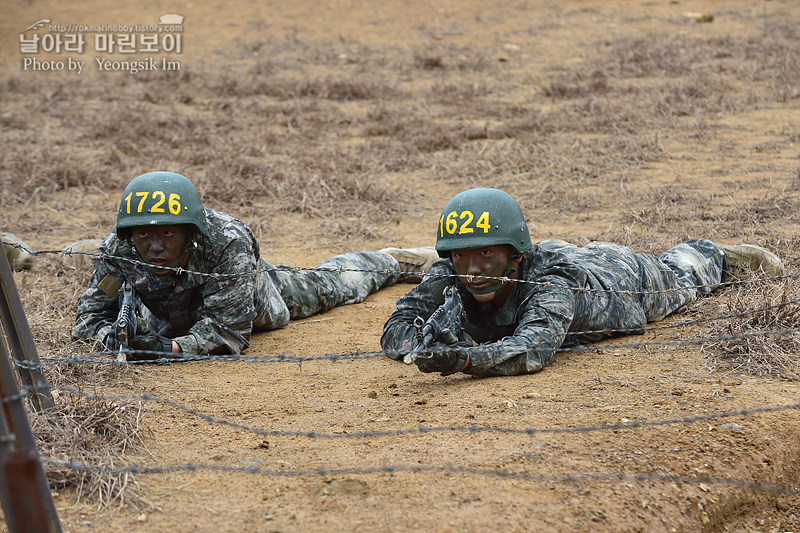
{"x":341,"y":270}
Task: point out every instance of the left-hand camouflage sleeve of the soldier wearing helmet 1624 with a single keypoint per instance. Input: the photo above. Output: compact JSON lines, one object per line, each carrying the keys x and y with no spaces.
{"x":398,"y":332}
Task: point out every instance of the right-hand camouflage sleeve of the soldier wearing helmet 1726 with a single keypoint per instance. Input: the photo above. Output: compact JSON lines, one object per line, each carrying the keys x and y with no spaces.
{"x":225,"y":317}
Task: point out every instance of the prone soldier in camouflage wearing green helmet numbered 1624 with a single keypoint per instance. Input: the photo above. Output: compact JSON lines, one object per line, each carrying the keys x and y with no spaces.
{"x":574,"y":295}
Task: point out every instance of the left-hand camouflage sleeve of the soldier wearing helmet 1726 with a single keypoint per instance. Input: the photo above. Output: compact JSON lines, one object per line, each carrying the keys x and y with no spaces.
{"x":97,"y":311}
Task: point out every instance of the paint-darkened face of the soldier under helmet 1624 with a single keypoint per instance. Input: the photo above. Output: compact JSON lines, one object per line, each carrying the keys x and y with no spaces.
{"x":494,"y":261}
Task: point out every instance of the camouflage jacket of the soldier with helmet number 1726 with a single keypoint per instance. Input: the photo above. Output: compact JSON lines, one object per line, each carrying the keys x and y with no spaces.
{"x":203,"y":314}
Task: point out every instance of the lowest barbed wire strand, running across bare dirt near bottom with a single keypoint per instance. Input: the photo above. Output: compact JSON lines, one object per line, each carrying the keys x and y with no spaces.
{"x":415,"y":469}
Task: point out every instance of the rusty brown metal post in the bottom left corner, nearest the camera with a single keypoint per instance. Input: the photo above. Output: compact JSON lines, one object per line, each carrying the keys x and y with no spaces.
{"x":24,"y":491}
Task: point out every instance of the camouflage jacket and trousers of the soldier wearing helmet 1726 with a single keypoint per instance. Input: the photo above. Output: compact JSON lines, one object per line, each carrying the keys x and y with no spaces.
{"x":216,"y":314}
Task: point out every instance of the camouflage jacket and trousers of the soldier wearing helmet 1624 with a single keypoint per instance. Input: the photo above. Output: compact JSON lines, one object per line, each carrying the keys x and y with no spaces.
{"x":523,"y":334}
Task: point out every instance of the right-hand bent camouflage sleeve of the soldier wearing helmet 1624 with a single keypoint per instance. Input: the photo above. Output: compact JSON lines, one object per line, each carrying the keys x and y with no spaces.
{"x":543,"y":325}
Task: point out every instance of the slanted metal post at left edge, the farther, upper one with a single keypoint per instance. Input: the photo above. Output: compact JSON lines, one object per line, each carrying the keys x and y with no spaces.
{"x":23,"y":349}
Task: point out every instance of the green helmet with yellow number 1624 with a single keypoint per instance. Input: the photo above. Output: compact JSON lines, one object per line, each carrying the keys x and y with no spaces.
{"x":482,"y":217}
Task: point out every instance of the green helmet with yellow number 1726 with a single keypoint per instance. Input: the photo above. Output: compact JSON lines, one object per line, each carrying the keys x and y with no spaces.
{"x":160,"y":199}
